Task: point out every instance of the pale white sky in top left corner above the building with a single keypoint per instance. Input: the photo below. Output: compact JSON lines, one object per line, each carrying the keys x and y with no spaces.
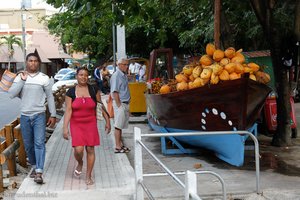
{"x":17,"y":4}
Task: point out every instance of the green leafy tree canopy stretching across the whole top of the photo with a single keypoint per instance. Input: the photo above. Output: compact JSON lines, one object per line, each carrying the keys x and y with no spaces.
{"x":185,"y":26}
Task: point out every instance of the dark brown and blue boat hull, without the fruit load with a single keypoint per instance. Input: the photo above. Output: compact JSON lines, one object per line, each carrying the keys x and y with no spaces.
{"x":230,"y":105}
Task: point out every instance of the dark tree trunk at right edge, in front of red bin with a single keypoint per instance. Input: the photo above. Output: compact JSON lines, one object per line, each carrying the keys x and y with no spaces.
{"x":278,"y":37}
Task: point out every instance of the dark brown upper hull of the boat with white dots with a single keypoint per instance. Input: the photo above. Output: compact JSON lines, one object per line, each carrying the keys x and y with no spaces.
{"x":231,"y":105}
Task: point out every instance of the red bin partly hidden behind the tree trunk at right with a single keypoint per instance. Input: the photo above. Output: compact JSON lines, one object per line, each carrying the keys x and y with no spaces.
{"x":270,"y":111}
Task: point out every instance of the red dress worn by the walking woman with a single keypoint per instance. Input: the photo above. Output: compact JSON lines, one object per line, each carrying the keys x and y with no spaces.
{"x":83,"y":123}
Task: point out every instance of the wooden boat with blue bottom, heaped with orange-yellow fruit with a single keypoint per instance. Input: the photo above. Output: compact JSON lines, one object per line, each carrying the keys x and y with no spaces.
{"x":194,"y":102}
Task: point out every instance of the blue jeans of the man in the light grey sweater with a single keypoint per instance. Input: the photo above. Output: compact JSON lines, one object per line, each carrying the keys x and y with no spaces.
{"x":33,"y":131}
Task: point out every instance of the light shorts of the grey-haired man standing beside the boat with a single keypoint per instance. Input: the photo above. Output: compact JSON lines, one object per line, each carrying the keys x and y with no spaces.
{"x":121,"y":117}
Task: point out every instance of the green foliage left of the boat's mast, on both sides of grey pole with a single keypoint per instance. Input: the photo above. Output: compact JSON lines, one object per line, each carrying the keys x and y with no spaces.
{"x":149,"y":24}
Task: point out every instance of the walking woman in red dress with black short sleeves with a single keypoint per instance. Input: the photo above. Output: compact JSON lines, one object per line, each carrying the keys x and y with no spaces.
{"x":81,"y":102}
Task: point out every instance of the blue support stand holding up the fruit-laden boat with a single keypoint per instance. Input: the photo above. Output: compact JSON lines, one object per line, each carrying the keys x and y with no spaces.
{"x":177,"y":148}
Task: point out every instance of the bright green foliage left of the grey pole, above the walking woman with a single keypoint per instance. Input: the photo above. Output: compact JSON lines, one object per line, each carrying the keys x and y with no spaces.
{"x":87,"y":25}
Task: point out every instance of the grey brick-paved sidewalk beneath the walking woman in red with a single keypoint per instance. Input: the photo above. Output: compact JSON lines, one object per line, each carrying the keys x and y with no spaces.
{"x":113,"y":174}
